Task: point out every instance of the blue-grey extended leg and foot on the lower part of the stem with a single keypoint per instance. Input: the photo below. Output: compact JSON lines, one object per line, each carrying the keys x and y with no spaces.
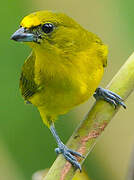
{"x":66,"y":152}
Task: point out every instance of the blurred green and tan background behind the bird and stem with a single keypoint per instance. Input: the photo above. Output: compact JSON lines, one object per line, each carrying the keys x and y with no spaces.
{"x":26,"y":145}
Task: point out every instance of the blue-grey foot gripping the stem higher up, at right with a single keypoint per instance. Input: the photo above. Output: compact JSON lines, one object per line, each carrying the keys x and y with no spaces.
{"x":109,"y":96}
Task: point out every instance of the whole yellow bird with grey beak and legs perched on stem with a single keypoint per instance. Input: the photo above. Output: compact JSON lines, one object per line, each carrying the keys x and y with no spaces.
{"x":63,"y":70}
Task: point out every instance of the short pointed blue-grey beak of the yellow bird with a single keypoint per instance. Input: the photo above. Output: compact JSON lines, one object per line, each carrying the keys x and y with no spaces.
{"x":22,"y":35}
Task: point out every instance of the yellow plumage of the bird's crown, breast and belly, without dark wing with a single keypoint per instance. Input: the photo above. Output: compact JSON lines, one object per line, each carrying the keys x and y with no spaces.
{"x":69,"y":64}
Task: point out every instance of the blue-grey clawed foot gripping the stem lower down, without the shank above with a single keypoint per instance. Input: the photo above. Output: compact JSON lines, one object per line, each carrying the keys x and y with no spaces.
{"x":69,"y":155}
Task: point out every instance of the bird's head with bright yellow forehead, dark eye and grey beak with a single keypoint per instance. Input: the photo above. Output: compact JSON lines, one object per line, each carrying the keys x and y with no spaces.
{"x":48,"y":29}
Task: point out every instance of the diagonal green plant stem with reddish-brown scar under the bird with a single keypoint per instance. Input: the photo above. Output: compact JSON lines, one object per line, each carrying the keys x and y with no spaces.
{"x":86,"y":134}
